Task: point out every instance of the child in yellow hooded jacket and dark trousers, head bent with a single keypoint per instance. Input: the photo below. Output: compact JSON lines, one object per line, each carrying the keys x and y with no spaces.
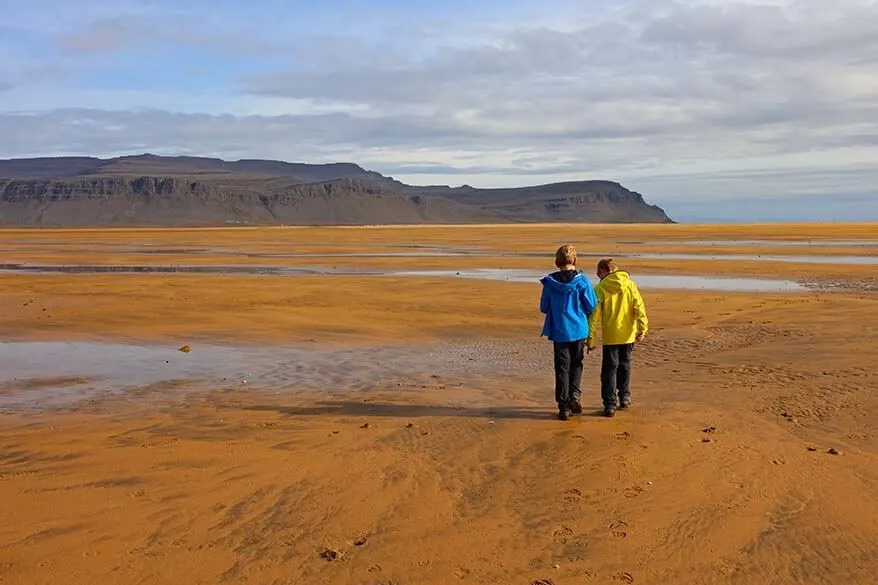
{"x":622,"y":315}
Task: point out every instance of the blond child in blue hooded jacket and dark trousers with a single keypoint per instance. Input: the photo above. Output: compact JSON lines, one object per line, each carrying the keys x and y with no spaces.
{"x":568,"y":300}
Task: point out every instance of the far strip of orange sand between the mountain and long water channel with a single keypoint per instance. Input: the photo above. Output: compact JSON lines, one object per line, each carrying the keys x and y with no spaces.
{"x":400,"y":248}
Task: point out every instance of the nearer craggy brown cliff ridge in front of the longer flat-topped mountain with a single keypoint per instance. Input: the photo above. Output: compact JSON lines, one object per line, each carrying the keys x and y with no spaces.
{"x":168,"y":201}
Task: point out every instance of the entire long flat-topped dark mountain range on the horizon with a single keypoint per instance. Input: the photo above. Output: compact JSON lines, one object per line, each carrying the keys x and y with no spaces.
{"x":186,"y":191}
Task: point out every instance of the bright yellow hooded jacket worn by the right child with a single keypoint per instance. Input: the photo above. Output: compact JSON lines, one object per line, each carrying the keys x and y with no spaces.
{"x":620,"y":310}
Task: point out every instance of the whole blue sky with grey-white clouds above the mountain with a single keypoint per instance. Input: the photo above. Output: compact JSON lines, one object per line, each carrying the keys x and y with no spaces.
{"x":714,"y":109}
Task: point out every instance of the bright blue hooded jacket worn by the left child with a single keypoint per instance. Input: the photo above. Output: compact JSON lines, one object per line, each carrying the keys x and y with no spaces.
{"x":568,"y":299}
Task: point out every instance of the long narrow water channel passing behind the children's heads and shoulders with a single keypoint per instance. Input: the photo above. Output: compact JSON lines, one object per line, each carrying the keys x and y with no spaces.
{"x":646,"y":281}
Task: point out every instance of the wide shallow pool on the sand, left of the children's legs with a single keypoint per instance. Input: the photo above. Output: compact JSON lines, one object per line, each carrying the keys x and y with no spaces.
{"x":51,"y":374}
